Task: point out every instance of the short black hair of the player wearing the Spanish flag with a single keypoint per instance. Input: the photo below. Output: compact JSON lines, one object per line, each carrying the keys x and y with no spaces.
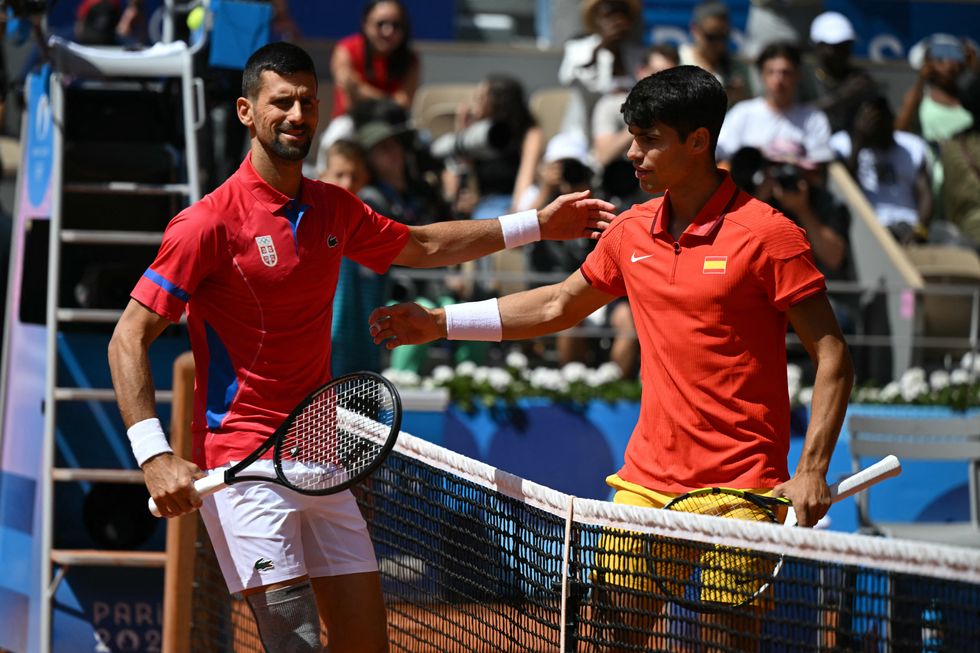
{"x":684,"y":98}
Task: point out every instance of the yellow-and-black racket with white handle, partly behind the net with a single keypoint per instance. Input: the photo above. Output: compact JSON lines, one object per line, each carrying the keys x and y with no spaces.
{"x":714,"y":577}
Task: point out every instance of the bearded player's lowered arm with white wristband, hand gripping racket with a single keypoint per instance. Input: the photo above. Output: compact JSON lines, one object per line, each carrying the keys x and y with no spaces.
{"x":168,"y":477}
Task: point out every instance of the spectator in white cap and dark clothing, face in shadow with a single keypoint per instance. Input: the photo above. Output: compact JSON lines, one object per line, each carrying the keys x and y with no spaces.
{"x":834,"y":84}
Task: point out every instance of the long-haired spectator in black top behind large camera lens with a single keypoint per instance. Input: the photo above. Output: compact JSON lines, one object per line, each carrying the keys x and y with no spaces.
{"x":503,"y":172}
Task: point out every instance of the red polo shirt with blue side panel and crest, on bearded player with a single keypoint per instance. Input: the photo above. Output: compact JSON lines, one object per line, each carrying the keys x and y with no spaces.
{"x":257,"y":273}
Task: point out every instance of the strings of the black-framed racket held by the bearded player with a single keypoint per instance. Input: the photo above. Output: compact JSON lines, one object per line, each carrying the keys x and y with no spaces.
{"x":337,"y":435}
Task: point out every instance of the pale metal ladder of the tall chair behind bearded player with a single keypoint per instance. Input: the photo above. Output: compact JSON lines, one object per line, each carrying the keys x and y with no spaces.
{"x":71,"y":62}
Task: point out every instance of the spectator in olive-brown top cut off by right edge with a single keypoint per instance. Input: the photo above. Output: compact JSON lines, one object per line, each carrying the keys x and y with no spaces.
{"x":961,"y":161}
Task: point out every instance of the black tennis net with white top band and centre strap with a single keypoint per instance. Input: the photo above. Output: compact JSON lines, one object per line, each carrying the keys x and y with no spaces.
{"x":475,"y":559}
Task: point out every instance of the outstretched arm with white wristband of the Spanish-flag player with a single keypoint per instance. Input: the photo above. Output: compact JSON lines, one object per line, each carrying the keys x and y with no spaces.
{"x":528,"y":314}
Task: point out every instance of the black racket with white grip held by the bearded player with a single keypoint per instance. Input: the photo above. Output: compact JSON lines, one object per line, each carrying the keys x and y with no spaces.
{"x":336,"y":437}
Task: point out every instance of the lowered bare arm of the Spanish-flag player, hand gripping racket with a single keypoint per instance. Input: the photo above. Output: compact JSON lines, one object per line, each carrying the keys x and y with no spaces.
{"x":814,"y":322}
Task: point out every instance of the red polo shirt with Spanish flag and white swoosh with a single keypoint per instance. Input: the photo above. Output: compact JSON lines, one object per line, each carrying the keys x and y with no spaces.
{"x":710,"y":313}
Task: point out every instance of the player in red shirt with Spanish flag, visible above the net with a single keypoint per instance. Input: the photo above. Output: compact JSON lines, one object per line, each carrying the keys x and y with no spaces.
{"x":713,"y":277}
